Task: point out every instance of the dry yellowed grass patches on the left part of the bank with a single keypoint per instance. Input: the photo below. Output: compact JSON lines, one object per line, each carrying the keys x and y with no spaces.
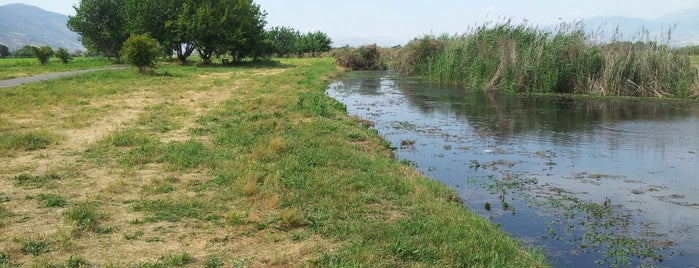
{"x":128,"y":240}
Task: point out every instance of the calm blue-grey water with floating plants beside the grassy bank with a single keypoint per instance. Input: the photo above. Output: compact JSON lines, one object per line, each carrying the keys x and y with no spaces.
{"x":592,"y":182}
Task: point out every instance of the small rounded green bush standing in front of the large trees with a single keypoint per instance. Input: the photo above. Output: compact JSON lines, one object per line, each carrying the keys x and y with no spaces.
{"x":141,"y":50}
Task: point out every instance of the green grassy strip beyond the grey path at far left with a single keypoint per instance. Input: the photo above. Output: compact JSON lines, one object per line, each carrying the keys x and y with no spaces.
{"x":15,"y":68}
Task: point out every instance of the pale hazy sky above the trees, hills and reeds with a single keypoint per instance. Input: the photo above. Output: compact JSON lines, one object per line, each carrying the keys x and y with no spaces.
{"x":395,"y":22}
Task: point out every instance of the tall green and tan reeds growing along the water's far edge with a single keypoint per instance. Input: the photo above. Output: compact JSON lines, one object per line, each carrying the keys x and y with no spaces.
{"x":523,"y":59}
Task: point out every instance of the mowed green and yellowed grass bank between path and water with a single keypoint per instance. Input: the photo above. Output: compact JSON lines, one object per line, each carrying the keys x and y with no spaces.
{"x":221,"y":167}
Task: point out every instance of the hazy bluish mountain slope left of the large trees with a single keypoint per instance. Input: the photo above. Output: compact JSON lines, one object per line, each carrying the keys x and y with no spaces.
{"x":28,"y":25}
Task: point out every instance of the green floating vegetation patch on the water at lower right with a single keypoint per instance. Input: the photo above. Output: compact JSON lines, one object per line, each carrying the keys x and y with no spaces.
{"x":604,"y":228}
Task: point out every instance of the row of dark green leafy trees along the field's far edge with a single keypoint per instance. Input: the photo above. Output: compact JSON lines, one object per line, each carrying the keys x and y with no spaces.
{"x":211,"y":27}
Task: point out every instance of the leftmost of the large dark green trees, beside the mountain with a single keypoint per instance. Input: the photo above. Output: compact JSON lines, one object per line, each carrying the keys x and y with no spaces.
{"x":101,"y":25}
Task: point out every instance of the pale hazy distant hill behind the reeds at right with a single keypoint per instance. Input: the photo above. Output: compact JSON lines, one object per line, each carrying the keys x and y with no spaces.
{"x":683,"y":26}
